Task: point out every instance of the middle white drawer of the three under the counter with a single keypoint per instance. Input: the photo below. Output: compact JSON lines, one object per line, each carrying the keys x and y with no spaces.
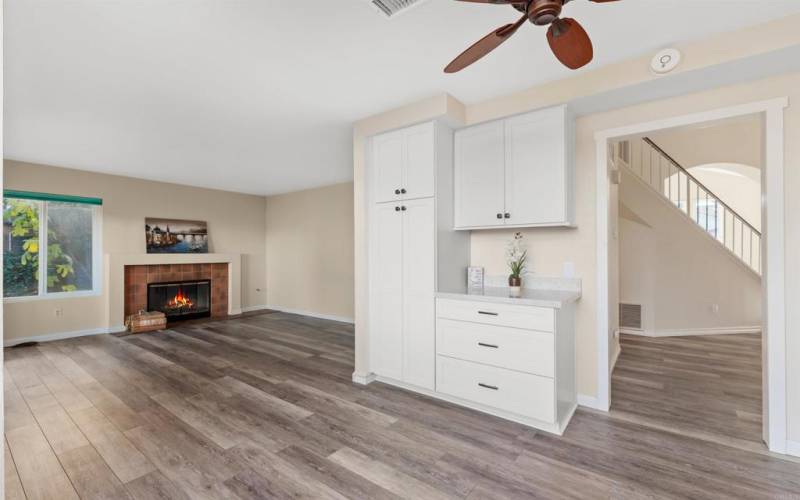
{"x":523,"y":350}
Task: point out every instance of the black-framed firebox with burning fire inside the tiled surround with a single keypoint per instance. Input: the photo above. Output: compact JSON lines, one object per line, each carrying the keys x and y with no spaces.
{"x":180,"y":300}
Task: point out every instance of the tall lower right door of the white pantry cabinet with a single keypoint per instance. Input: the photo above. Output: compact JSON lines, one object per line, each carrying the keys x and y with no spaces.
{"x":419,"y":322}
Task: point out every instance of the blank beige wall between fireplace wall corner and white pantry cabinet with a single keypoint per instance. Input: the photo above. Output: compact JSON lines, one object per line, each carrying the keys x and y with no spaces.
{"x":310,"y":251}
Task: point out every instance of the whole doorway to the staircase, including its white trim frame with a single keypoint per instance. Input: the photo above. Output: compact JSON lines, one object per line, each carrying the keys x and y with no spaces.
{"x":738,"y":364}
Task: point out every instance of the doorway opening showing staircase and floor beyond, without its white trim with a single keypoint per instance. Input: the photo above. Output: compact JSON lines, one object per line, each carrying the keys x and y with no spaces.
{"x":686,"y":226}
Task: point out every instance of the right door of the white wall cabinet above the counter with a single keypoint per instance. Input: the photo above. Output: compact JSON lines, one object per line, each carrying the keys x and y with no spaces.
{"x":536,"y":168}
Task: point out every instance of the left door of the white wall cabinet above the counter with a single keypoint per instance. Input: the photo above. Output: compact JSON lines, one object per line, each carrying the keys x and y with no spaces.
{"x":479,"y":178}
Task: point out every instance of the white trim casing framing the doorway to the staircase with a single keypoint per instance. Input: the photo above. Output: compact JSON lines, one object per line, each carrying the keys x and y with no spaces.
{"x":773,"y":284}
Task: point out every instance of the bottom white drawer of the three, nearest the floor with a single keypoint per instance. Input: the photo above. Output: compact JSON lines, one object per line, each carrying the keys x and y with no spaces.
{"x":521,"y":393}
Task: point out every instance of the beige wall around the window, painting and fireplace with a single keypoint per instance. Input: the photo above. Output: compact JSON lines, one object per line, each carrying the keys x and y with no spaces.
{"x":236,"y":224}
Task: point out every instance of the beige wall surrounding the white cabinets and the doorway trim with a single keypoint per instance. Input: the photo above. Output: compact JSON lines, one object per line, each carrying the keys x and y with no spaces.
{"x":551,"y":247}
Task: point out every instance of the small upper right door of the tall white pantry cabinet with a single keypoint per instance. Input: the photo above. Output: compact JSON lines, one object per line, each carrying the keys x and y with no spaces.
{"x":418,"y":171}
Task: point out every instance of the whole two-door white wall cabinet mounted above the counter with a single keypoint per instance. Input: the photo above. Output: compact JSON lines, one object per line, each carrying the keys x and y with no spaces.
{"x":516,"y":172}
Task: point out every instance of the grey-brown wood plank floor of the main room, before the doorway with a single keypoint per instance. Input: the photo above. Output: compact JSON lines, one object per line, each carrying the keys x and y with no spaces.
{"x":263,"y":407}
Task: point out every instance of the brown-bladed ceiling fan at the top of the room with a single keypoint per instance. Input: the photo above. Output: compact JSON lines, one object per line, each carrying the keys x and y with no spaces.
{"x":567,"y":38}
